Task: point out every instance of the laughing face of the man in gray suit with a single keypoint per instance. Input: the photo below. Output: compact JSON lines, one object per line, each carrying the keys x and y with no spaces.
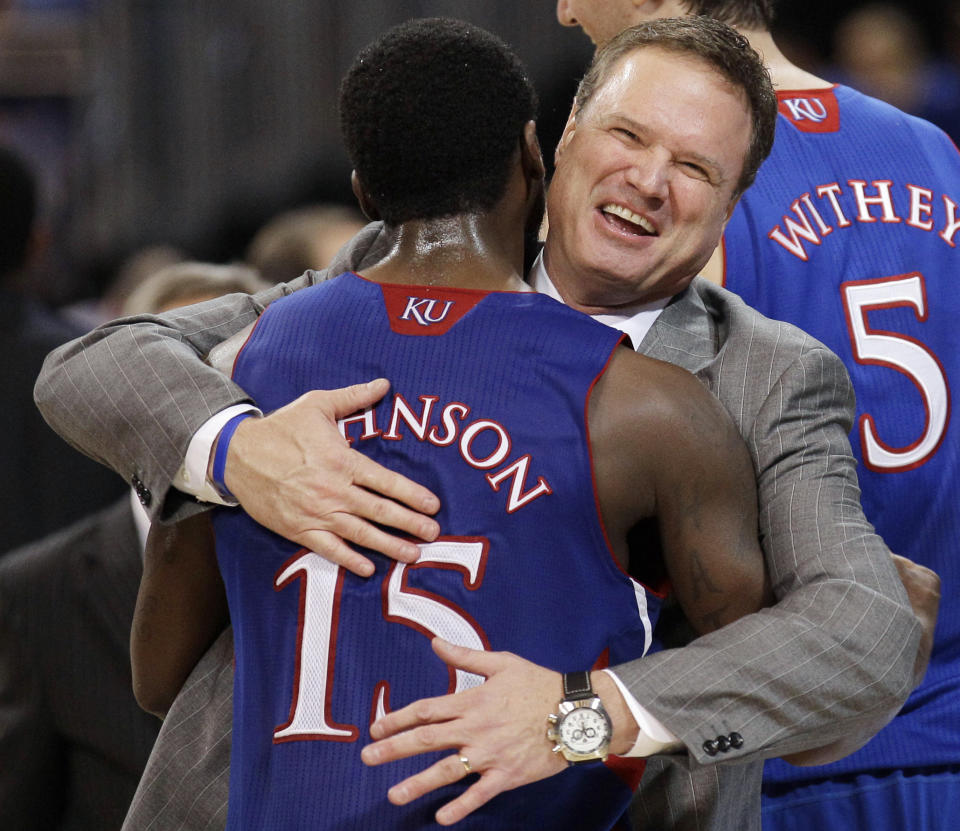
{"x":644,"y":181}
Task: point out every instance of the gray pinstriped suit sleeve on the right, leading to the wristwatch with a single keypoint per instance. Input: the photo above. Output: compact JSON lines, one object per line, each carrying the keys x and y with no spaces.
{"x":836,"y":651}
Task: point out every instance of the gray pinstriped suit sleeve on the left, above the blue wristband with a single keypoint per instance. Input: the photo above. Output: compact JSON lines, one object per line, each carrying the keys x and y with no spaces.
{"x":132,"y":393}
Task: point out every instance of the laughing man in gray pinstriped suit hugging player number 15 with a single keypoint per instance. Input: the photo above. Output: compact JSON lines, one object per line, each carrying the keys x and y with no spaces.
{"x":637,"y":205}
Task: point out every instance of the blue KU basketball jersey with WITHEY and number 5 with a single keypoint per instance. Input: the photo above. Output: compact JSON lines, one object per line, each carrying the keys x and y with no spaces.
{"x":851,"y":232}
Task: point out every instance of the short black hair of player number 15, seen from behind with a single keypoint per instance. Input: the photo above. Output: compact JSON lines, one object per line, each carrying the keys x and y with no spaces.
{"x":431,"y":115}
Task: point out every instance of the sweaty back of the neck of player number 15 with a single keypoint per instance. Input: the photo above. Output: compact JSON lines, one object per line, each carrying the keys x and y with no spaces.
{"x":463,"y":251}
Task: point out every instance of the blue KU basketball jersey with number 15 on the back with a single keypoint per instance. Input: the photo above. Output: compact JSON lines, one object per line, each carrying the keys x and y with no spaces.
{"x":487,"y":408}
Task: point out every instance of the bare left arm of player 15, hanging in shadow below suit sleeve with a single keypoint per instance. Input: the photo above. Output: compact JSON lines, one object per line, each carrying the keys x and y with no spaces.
{"x":181,"y":609}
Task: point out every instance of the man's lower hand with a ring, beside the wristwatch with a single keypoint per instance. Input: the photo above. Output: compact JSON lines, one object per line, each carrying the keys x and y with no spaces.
{"x":499,"y":726}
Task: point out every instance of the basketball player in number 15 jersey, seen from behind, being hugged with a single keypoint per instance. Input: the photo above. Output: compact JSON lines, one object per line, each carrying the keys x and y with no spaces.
{"x":493,"y":389}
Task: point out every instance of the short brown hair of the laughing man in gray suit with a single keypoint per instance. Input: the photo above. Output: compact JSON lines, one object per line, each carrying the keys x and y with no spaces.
{"x":724,"y":49}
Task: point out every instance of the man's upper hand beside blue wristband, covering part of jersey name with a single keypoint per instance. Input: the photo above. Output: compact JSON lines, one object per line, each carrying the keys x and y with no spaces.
{"x":293,"y":472}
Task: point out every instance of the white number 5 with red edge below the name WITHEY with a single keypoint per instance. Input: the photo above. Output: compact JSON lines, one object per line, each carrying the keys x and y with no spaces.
{"x":904,"y":354}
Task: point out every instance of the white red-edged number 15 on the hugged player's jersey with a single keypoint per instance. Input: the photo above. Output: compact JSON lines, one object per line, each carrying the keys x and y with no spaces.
{"x":428,"y":613}
